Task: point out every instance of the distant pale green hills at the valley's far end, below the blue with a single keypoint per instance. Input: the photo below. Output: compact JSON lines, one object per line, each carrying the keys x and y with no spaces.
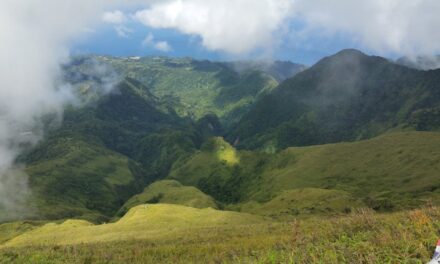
{"x":194,"y":88}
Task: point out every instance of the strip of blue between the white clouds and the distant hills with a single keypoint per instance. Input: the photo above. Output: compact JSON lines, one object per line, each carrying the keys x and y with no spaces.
{"x":104,"y":40}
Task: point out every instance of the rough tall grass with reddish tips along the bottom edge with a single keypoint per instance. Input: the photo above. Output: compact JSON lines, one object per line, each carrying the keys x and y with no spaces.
{"x":361,"y":237}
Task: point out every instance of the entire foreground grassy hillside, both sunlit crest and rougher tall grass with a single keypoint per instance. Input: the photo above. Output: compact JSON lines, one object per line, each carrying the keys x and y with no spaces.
{"x":360,"y":237}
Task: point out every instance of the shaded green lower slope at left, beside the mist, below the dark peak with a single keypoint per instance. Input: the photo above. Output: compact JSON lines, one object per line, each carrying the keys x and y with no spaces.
{"x":77,"y":178}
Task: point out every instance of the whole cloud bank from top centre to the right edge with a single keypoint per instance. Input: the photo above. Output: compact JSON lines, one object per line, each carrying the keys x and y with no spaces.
{"x":243,"y":26}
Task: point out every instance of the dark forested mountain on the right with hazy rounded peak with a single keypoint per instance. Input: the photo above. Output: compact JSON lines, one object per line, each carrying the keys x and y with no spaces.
{"x":344,"y":97}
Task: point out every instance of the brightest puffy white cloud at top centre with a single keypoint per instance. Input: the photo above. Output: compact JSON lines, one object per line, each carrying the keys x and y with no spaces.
{"x":235,"y":27}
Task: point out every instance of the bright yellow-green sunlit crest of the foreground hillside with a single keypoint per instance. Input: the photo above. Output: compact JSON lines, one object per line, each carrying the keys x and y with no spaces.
{"x":162,"y":221}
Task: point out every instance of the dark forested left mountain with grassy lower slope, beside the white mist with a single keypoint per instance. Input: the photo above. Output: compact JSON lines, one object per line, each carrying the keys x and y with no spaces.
{"x":105,"y":152}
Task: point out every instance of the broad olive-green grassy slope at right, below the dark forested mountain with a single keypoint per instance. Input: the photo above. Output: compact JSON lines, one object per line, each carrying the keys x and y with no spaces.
{"x":390,"y":172}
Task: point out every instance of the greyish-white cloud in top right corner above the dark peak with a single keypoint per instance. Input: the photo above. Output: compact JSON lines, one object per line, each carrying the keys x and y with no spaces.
{"x":405,"y":27}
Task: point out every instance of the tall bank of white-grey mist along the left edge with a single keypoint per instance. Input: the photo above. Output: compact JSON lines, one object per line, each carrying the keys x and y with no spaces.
{"x":33,"y":45}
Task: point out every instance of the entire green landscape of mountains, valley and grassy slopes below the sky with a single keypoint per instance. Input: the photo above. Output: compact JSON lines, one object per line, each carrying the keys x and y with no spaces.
{"x":143,"y":174}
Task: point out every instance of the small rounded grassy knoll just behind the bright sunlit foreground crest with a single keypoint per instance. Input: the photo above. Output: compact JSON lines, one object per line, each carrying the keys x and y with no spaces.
{"x":170,"y":192}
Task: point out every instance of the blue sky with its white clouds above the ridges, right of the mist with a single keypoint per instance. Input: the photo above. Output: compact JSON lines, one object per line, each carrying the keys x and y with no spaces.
{"x":302,"y":31}
